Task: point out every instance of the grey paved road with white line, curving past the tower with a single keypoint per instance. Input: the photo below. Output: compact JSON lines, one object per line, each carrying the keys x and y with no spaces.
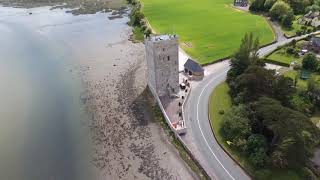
{"x":215,"y":161}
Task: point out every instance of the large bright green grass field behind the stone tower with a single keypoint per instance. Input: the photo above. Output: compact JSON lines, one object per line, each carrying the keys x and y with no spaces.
{"x":208,"y":29}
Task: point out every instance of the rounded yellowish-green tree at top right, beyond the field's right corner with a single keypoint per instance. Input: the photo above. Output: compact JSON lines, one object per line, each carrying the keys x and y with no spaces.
{"x":279,"y":10}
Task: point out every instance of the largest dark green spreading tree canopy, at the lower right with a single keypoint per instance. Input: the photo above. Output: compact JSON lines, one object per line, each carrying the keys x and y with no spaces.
{"x":292,"y":134}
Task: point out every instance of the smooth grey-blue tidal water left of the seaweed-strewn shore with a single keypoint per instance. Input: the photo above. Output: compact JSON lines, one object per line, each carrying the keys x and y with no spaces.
{"x":42,"y":131}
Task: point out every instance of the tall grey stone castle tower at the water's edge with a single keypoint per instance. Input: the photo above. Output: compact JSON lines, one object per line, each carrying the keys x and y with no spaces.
{"x":162,"y":53}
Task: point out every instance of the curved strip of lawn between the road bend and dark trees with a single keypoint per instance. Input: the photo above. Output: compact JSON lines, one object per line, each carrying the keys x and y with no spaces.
{"x":220,"y":100}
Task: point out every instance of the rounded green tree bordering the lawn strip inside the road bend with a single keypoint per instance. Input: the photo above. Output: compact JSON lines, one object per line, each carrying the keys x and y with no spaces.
{"x":236,"y":123}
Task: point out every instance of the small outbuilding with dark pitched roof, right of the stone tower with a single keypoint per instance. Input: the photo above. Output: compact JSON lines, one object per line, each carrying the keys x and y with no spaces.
{"x":193,"y":70}
